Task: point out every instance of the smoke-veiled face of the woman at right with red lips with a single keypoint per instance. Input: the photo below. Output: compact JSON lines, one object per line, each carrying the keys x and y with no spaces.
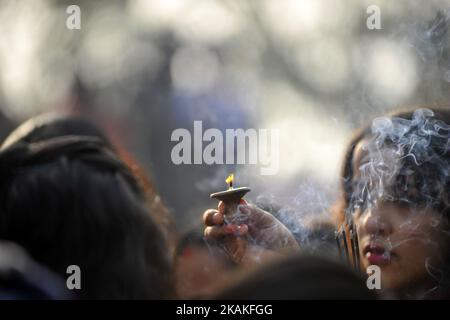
{"x":409,"y":245}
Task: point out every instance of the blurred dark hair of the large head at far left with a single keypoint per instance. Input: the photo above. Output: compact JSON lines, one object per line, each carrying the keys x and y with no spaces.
{"x":67,"y":198}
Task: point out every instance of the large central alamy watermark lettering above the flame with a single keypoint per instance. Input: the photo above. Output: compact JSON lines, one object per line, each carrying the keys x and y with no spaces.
{"x":262,"y":146}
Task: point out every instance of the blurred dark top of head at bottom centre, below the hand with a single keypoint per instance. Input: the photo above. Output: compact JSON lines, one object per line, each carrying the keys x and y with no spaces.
{"x":300,"y":278}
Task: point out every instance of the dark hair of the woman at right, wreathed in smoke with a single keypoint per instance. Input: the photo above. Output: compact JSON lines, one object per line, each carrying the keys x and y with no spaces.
{"x":420,"y":138}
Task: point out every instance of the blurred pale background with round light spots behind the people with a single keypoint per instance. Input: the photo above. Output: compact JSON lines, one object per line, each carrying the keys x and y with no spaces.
{"x":143,"y":68}
